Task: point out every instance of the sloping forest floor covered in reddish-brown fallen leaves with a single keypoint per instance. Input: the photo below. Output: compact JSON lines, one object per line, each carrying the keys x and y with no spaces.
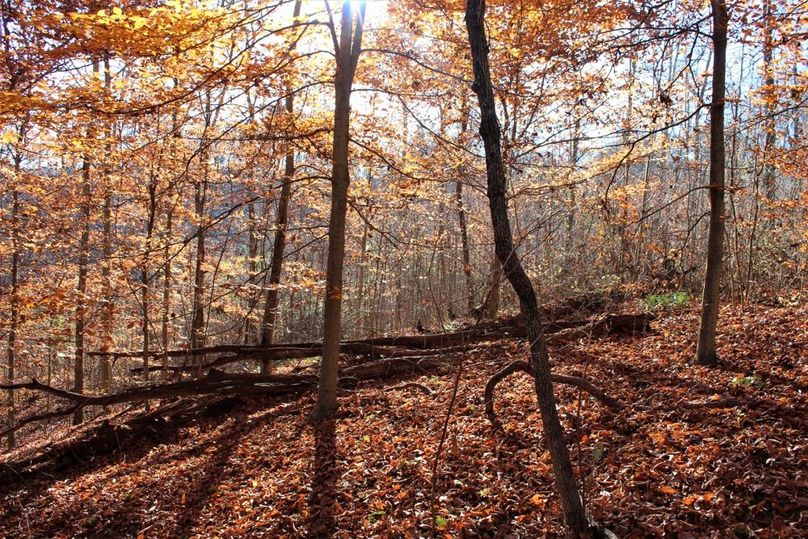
{"x":696,"y":452}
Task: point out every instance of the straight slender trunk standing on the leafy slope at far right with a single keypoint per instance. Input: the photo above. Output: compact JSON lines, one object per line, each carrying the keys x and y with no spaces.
{"x":706,"y":347}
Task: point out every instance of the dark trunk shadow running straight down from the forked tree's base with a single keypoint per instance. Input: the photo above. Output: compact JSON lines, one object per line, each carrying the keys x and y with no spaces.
{"x":323,"y":497}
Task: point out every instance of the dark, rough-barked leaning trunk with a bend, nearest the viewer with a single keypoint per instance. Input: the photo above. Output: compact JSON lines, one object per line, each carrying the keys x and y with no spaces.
{"x":566,"y":485}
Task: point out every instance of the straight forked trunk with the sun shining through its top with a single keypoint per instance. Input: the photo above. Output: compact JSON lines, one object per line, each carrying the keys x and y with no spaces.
{"x":347,"y":54}
